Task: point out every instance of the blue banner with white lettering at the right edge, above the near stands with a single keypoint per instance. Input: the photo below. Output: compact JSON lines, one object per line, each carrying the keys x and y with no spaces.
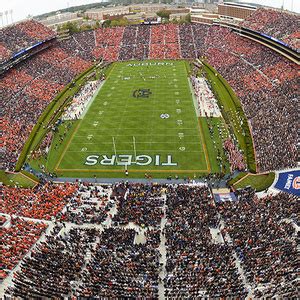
{"x":289,"y":182}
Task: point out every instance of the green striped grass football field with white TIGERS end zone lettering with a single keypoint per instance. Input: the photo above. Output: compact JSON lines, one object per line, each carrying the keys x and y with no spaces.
{"x":143,"y":119}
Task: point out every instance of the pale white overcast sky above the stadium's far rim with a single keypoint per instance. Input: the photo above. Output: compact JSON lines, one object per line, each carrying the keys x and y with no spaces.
{"x":21,"y":9}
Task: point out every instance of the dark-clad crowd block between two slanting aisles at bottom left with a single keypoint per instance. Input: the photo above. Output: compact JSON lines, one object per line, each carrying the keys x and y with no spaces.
{"x":53,"y":265}
